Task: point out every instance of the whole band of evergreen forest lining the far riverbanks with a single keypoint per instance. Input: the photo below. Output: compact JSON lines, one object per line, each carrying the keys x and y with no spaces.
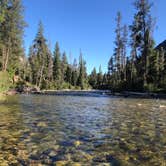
{"x":143,"y":69}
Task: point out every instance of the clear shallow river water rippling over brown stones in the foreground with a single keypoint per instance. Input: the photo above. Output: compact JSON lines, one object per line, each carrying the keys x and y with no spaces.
{"x":66,"y":130}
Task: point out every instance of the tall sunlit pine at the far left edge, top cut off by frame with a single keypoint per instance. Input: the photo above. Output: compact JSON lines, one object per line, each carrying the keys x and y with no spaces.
{"x":11,"y":32}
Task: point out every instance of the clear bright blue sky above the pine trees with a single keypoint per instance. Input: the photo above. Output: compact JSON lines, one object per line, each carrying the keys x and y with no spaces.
{"x":85,"y":24}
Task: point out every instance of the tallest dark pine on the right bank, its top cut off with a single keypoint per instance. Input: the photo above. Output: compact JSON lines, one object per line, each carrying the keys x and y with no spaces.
{"x":140,"y":29}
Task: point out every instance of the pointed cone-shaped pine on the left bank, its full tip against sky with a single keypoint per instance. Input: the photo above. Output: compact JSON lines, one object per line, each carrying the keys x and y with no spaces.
{"x":40,"y":60}
